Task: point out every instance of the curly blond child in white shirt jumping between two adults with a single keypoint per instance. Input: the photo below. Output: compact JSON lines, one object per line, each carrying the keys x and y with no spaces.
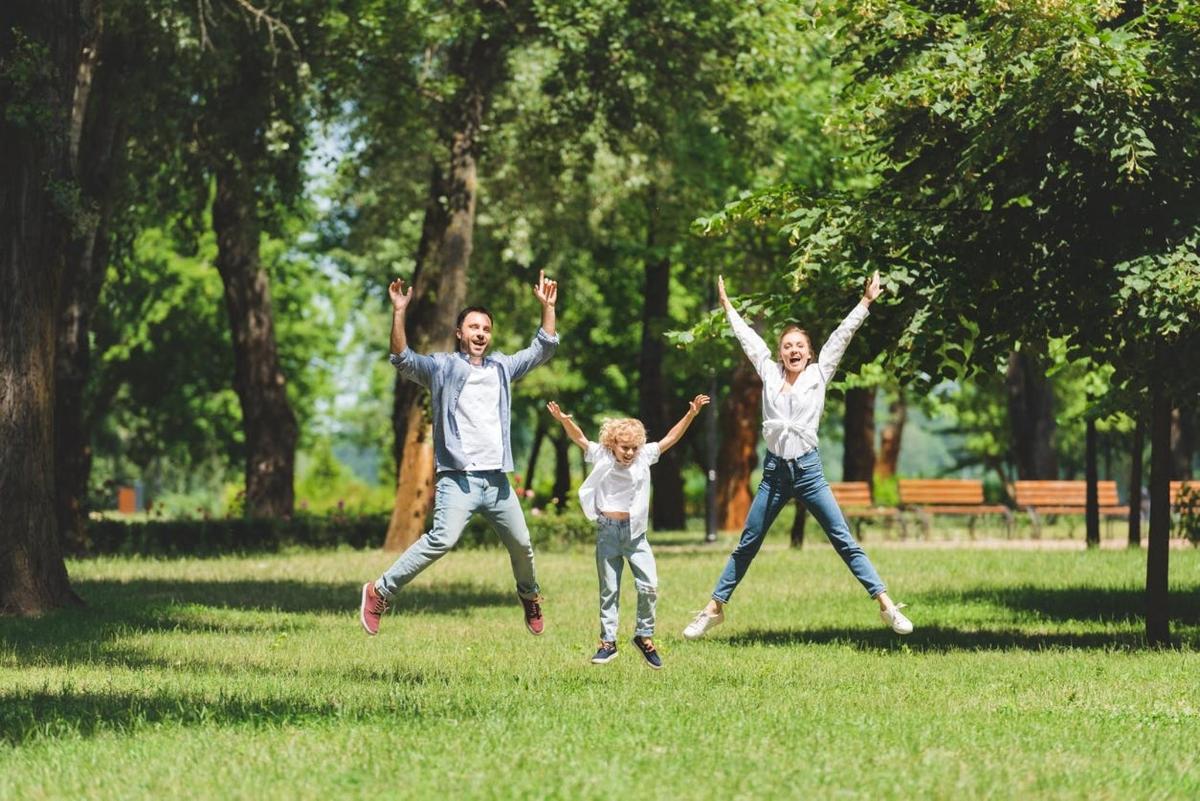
{"x":617,"y":496}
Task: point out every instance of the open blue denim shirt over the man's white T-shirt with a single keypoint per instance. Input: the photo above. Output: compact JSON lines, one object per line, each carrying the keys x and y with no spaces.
{"x":446,"y":375}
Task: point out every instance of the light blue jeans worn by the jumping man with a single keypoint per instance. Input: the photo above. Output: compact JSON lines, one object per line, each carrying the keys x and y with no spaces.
{"x":458,"y":497}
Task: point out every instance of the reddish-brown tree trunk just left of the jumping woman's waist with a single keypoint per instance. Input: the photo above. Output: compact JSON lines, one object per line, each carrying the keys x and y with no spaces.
{"x":737,"y":457}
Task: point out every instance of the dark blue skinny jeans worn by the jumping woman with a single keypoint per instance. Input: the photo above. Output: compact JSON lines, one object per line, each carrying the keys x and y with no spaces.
{"x":784,"y":480}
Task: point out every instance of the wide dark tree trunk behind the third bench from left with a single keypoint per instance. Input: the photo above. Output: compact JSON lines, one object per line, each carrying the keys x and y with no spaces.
{"x":1031,"y":415}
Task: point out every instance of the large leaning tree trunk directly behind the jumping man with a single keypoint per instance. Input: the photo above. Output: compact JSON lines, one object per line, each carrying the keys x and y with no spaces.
{"x":440,"y":290}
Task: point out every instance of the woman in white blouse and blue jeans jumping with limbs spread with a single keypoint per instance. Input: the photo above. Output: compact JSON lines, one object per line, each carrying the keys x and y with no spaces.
{"x":793,"y":401}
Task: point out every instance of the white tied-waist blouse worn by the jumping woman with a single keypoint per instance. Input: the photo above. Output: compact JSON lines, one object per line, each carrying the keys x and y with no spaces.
{"x":791,"y":413}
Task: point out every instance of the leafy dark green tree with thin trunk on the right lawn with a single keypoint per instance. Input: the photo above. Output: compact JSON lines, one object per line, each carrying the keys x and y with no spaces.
{"x":1033,"y":177}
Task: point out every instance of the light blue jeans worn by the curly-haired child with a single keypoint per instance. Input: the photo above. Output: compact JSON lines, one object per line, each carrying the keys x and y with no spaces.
{"x":614,"y":547}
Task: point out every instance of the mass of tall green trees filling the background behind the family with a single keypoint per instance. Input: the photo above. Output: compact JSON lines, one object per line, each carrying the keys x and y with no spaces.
{"x":1023,"y":176}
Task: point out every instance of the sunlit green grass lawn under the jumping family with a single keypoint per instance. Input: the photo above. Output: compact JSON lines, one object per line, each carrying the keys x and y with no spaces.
{"x":250,"y":678}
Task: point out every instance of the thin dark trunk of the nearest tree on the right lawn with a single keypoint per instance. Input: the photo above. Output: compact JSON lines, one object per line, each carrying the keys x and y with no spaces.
{"x":1159,"y":627}
